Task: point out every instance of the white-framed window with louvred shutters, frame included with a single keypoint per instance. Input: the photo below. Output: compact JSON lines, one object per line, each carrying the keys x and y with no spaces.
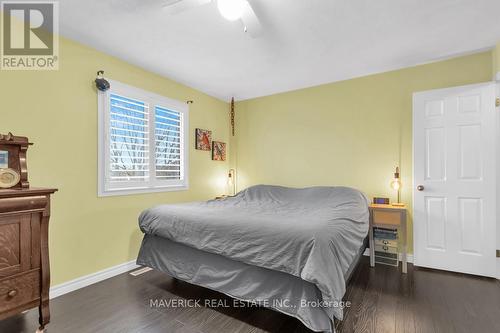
{"x":142,"y":142}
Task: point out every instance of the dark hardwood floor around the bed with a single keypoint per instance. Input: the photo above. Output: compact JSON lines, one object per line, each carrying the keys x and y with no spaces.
{"x":383,"y":300}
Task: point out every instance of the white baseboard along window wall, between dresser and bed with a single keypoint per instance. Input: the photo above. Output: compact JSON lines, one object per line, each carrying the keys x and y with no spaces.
{"x":87,"y":280}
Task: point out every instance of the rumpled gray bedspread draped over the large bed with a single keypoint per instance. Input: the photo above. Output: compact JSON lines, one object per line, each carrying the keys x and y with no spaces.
{"x":311,"y":233}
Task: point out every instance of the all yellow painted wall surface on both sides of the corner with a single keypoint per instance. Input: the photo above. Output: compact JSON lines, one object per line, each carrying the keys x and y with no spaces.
{"x":349,"y":133}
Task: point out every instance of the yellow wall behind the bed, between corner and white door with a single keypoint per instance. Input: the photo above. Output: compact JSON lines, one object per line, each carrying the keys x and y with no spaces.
{"x":351,"y":133}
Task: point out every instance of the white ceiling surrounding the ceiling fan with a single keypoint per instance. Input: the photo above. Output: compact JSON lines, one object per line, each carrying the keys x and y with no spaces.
{"x":305,"y":42}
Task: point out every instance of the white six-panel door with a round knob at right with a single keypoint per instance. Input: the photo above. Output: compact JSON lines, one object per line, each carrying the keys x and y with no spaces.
{"x":454,"y":179}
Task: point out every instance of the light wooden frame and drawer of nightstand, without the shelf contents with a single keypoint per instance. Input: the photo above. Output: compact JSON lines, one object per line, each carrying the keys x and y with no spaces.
{"x":389,"y":217}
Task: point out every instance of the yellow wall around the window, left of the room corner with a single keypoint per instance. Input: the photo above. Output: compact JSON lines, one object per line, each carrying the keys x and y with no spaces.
{"x":58,"y":111}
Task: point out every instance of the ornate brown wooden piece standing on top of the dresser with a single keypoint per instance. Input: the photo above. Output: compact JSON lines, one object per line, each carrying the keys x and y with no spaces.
{"x":13,"y":169}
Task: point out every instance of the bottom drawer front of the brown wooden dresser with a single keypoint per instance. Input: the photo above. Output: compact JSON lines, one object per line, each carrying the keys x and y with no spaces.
{"x":19,"y":290}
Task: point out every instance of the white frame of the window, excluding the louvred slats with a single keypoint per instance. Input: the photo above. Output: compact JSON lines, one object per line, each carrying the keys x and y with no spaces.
{"x":153,"y":185}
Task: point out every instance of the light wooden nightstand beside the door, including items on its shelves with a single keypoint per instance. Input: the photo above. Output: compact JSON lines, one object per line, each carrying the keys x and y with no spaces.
{"x":388,"y":220}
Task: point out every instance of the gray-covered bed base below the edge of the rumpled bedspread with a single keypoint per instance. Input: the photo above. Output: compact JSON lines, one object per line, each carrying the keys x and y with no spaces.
{"x":280,"y":291}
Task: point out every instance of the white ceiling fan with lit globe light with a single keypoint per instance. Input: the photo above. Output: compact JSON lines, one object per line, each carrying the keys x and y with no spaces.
{"x":231,"y":10}
